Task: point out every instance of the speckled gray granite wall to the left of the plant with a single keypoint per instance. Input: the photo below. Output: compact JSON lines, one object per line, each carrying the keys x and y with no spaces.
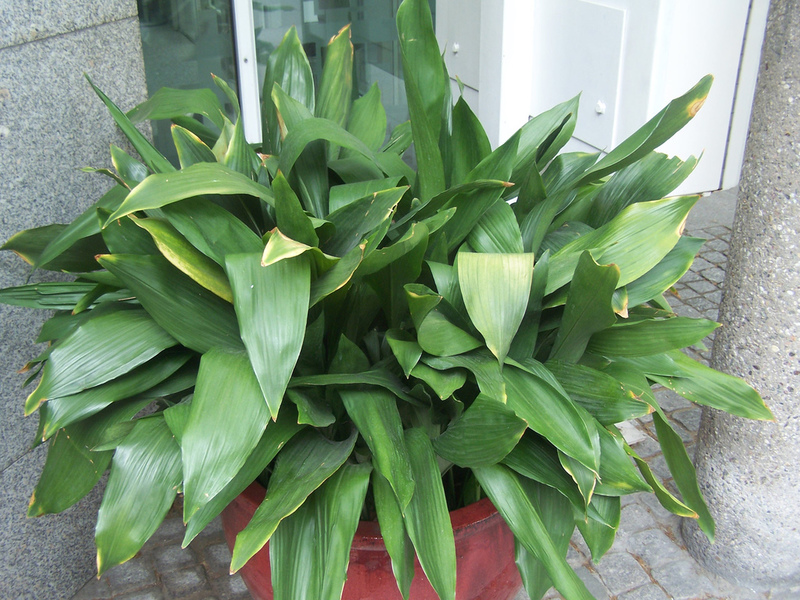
{"x":51,"y":125}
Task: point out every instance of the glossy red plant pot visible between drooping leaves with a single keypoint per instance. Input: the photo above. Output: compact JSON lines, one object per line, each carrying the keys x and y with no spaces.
{"x":484,"y":553}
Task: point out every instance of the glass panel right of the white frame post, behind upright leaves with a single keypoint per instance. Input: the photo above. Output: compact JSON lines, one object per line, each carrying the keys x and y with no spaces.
{"x":374,"y":35}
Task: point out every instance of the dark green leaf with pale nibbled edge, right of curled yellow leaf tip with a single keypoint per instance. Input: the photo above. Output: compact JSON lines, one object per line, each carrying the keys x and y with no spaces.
{"x":356,"y":220}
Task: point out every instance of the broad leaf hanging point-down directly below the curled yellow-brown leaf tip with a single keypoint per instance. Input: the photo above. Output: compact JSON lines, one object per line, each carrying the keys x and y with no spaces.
{"x":271,"y":306}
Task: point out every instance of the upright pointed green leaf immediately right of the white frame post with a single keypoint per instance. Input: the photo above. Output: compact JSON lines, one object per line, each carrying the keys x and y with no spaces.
{"x":288,"y":68}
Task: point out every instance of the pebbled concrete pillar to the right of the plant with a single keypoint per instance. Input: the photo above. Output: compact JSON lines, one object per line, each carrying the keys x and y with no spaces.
{"x":749,"y":471}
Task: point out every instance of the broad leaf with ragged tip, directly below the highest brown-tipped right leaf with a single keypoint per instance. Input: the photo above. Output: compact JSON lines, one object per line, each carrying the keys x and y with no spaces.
{"x":650,"y":178}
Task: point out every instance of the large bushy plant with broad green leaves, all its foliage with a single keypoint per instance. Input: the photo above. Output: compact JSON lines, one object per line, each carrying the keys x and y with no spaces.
{"x":368,"y":340}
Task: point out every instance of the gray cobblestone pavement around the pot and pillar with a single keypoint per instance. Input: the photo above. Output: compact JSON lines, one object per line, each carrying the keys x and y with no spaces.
{"x":647,"y":562}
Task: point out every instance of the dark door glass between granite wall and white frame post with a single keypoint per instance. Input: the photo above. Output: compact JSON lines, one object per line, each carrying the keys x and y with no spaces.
{"x":183,"y":42}
